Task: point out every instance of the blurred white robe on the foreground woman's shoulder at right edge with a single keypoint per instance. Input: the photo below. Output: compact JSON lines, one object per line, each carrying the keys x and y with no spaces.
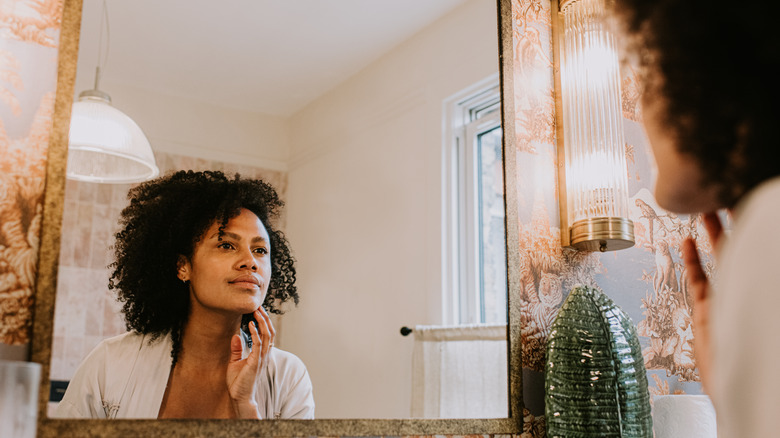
{"x":745,"y":325}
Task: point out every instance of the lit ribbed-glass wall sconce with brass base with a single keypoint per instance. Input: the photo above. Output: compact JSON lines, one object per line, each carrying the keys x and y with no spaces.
{"x":592,"y":175}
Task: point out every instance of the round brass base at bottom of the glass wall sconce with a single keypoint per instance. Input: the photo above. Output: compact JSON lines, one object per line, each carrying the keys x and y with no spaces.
{"x":602,"y":234}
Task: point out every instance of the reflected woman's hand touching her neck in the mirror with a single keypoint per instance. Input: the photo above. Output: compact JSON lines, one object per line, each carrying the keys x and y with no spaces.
{"x":243,"y":374}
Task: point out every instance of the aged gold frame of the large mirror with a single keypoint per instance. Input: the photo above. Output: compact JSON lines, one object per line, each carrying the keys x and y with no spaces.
{"x":45,"y":288}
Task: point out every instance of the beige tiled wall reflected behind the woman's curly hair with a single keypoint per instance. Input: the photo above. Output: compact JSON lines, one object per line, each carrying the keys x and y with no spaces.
{"x":85,"y":311}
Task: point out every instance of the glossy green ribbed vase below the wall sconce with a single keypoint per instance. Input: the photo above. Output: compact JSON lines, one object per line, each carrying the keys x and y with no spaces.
{"x":595,"y":377}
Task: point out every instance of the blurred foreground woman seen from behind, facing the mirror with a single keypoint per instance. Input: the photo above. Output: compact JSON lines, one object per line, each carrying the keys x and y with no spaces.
{"x":710,"y":90}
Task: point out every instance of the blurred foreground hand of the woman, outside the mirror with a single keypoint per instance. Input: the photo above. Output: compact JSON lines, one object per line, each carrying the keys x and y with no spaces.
{"x":700,"y":286}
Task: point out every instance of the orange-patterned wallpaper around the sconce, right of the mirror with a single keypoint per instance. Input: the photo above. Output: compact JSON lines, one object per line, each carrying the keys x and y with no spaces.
{"x":647,"y":281}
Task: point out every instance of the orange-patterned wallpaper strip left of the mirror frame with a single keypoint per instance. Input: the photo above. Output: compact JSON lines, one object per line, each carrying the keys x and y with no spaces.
{"x":29,"y":34}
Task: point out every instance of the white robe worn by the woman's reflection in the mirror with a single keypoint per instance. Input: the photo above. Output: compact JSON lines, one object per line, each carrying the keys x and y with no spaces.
{"x":126,"y":376}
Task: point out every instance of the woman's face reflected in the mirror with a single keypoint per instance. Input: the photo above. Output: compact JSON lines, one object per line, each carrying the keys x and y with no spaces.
{"x":230,"y":275}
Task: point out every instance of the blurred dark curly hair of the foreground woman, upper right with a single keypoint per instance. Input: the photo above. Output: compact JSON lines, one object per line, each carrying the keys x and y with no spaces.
{"x":718,"y":77}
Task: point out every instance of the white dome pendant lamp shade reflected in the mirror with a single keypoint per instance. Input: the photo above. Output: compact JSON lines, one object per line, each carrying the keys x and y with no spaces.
{"x":107,"y":146}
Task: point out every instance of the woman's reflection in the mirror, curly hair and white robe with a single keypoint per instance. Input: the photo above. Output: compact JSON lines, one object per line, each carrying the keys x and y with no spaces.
{"x":198,"y":267}
